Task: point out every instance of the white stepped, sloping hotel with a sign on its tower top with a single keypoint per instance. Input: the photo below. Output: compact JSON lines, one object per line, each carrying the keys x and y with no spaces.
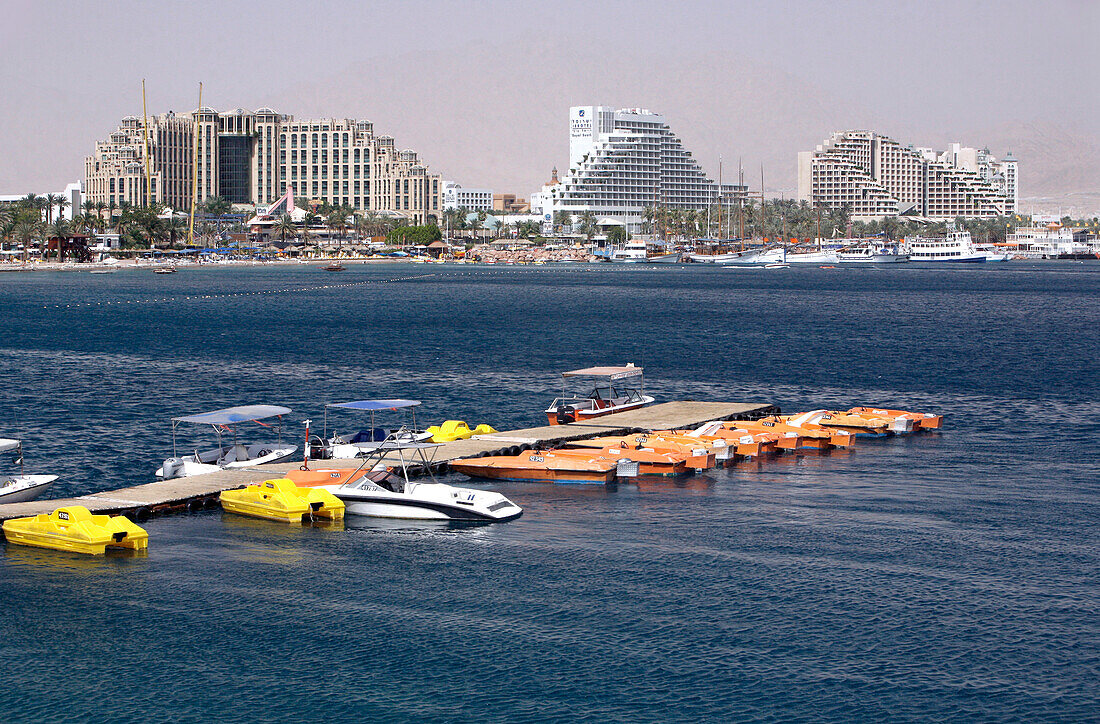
{"x":622,"y":161}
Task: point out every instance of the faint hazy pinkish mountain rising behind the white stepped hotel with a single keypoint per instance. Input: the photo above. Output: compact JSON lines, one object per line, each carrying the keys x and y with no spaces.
{"x":722,"y":105}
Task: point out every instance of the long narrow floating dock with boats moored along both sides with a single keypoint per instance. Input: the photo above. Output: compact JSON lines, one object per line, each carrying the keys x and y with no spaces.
{"x":201,"y":492}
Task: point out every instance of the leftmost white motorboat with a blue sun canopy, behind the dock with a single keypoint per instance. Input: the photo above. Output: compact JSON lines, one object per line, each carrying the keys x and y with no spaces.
{"x":227,"y":456}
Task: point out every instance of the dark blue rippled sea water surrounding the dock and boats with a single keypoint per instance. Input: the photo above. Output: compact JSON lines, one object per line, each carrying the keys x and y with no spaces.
{"x":945,"y":577}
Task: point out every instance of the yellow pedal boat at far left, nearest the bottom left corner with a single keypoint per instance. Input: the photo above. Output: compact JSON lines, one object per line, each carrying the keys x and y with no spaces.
{"x":74,"y":529}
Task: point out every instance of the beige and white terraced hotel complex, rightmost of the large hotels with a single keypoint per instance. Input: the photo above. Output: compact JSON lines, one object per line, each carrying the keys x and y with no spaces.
{"x":878,"y":178}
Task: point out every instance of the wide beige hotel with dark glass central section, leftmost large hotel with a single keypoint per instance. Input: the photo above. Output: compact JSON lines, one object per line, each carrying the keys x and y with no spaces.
{"x":255,"y":157}
